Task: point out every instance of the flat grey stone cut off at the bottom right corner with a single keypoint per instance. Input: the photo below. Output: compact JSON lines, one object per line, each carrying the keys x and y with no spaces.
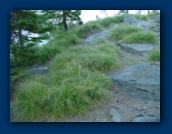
{"x":146,"y":119}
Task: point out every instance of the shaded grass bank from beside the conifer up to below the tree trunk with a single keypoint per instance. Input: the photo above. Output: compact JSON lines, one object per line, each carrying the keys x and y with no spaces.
{"x":39,"y":55}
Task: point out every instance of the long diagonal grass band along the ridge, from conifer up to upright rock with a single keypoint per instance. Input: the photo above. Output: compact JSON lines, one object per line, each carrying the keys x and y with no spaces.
{"x":61,"y":41}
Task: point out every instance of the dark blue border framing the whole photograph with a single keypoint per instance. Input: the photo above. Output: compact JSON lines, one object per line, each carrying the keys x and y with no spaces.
{"x":166,"y":92}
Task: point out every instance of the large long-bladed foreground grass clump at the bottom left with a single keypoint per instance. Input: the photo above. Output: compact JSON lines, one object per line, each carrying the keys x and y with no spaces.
{"x":36,"y":101}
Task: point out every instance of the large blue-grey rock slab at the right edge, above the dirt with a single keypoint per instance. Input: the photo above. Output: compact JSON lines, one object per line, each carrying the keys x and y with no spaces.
{"x":140,"y":81}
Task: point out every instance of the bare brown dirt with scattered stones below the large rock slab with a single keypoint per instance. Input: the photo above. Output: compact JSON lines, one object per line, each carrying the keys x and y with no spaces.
{"x":127,"y":107}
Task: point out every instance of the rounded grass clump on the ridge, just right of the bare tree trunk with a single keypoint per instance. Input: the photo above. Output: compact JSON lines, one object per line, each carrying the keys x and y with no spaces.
{"x":87,"y":28}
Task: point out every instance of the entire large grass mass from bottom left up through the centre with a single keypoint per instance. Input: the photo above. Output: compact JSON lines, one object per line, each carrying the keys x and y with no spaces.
{"x":75,"y":81}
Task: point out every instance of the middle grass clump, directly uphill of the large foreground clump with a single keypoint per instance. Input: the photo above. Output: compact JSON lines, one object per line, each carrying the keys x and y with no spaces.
{"x":102,"y":57}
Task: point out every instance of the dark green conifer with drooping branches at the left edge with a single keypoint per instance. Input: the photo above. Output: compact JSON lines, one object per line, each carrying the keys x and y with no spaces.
{"x":23,"y":23}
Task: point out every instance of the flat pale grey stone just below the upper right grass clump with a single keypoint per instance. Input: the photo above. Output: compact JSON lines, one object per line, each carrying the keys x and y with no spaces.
{"x":137,"y":48}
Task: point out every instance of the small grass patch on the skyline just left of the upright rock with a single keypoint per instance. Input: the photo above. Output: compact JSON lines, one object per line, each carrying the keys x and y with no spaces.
{"x":109,"y":20}
